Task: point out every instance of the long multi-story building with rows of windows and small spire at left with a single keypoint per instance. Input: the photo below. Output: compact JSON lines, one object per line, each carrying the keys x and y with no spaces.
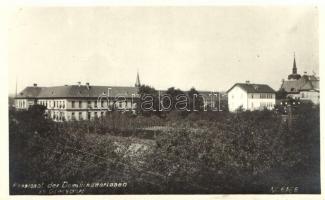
{"x":77,"y":102}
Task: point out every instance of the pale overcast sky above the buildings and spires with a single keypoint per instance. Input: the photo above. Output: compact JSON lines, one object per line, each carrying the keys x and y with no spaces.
{"x":210,"y":48}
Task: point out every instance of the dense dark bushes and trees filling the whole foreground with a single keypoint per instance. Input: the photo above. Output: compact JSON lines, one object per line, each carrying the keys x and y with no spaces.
{"x":203,"y":152}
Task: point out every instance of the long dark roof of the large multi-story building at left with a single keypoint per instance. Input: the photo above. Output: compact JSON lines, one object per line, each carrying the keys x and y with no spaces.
{"x":76,"y":91}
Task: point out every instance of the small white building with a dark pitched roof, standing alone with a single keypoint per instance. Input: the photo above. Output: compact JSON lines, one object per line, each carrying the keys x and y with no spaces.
{"x":249,"y":96}
